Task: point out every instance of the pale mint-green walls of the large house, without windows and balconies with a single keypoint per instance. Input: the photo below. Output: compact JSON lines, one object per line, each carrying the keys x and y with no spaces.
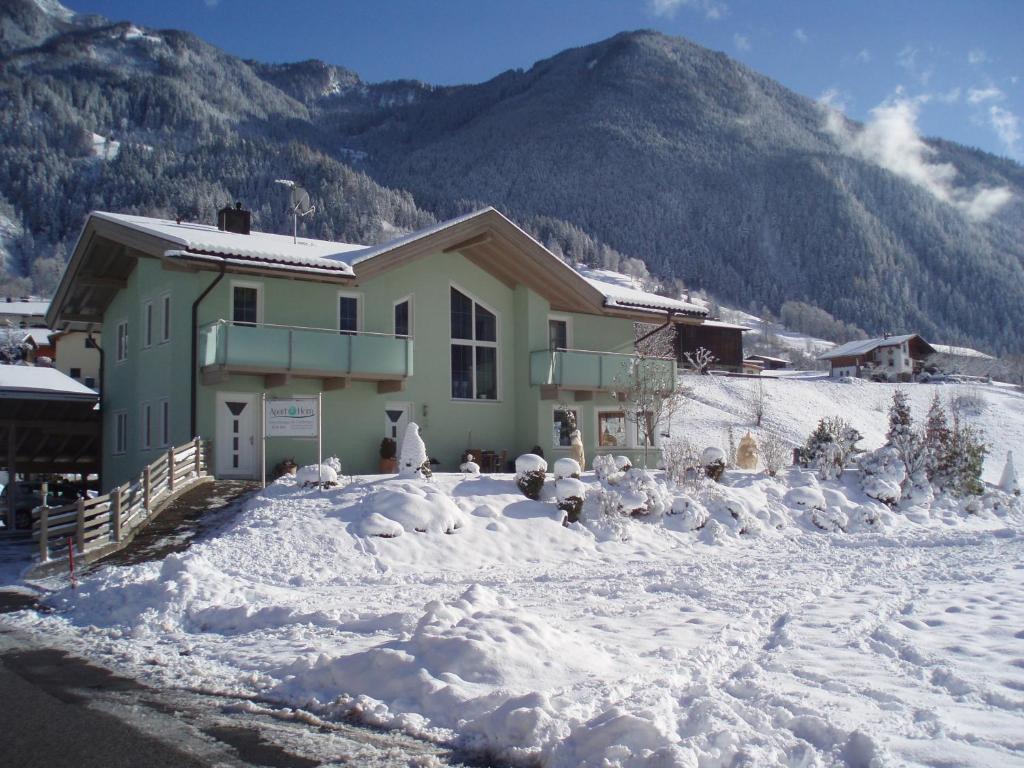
{"x":354,"y":417}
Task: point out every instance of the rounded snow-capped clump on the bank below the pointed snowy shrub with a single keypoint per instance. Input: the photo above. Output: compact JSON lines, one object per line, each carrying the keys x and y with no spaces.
{"x":393,"y":511}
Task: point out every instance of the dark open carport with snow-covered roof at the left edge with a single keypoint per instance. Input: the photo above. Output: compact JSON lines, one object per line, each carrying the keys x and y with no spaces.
{"x":50,"y":425}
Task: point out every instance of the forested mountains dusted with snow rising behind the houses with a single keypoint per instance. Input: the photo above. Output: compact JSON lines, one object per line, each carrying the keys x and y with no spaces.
{"x":642,"y":146}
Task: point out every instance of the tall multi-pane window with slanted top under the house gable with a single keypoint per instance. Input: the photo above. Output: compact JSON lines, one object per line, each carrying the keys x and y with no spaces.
{"x":475,"y":350}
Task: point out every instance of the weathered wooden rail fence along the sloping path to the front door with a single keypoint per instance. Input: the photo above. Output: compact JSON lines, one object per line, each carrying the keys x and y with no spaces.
{"x":104,"y":525}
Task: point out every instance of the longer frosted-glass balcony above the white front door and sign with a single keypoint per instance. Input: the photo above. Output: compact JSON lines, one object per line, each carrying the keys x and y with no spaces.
{"x":279,"y":353}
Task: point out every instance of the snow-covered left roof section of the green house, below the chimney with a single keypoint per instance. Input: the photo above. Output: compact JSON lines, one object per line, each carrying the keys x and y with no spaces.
{"x":264,"y":247}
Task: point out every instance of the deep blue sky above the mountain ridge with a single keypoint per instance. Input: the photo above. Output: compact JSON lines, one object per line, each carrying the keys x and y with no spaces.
{"x":959,"y":67}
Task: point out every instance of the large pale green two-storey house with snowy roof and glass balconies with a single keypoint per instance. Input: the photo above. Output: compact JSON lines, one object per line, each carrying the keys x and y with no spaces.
{"x":471,"y":328}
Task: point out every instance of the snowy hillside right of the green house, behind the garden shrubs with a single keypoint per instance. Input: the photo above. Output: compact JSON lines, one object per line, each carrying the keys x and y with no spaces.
{"x":796,"y":403}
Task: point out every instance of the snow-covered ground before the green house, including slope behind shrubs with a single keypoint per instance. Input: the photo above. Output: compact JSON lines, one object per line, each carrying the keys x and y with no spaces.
{"x":767,"y":622}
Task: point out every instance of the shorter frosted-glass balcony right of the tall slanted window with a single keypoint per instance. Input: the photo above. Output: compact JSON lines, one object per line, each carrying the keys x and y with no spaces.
{"x":585,"y":372}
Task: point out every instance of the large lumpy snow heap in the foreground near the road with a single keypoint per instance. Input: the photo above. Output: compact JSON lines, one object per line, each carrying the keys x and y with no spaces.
{"x":464,"y":661}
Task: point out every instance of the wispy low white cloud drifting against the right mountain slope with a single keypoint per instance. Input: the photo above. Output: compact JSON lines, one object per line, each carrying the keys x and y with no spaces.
{"x":890,"y":140}
